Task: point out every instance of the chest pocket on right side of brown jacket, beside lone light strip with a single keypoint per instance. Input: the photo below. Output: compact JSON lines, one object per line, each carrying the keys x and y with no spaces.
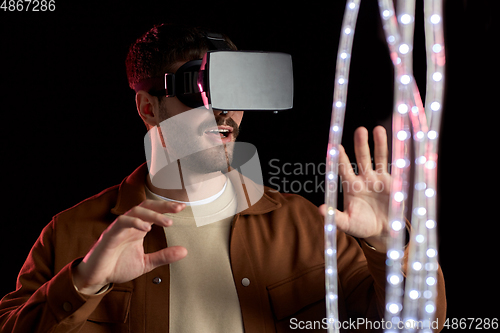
{"x":297,"y":292}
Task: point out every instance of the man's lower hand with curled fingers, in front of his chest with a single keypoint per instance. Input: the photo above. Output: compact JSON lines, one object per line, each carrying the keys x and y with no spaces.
{"x":118,"y":256}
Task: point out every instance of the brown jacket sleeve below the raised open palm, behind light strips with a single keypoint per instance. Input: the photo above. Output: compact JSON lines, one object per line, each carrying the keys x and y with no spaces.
{"x":362,"y":278}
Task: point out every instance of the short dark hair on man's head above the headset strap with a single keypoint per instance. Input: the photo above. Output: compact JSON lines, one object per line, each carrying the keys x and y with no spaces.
{"x":153,"y":54}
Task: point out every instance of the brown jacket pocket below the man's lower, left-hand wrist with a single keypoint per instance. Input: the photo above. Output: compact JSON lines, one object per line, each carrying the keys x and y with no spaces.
{"x":114,"y":307}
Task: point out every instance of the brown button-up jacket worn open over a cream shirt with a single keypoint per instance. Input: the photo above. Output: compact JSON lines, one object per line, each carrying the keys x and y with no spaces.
{"x":277,"y":244}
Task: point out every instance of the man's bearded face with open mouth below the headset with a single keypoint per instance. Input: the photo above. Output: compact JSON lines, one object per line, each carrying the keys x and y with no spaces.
{"x":201,"y":139}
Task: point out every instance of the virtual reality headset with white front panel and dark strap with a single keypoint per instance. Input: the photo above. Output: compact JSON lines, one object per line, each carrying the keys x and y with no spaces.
{"x":229,"y":80}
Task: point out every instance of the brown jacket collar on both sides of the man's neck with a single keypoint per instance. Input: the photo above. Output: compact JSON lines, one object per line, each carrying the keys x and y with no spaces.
{"x":131,"y":192}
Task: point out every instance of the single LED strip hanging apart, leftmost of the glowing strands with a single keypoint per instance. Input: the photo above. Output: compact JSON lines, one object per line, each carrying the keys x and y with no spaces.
{"x":336,"y":128}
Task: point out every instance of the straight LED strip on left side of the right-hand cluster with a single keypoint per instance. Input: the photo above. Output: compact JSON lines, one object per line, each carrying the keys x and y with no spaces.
{"x":404,"y":83}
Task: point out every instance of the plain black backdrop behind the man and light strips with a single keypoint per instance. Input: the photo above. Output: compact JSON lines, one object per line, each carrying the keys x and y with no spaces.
{"x":70,"y":128}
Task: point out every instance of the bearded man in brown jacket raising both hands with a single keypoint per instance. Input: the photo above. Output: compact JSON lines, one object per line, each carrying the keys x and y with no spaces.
{"x":144,"y":256}
